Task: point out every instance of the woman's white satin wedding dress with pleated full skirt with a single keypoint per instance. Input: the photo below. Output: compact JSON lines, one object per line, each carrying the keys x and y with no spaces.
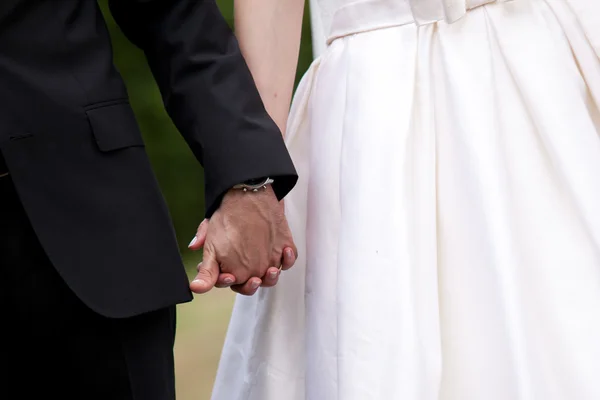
{"x":447,"y":213}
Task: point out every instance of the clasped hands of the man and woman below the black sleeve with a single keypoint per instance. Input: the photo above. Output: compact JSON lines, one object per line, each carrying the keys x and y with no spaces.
{"x":246,"y":239}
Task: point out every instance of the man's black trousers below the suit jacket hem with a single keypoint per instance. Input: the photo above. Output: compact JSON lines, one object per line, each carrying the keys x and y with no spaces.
{"x":53,"y":346}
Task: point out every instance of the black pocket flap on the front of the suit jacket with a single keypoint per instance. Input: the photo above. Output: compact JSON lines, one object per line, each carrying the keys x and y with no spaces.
{"x":114,"y":126}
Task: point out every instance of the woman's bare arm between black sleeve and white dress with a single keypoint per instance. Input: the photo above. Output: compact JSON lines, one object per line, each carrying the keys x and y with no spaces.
{"x":269,"y":33}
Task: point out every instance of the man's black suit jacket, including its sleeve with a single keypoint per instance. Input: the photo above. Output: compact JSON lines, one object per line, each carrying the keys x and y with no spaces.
{"x":76,"y":155}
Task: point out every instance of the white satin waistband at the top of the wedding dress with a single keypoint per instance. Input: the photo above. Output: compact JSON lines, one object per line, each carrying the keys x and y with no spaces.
{"x":369,"y":15}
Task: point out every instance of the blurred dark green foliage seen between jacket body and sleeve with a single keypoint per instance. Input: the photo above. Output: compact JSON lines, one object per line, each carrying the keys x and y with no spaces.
{"x":178,"y":173}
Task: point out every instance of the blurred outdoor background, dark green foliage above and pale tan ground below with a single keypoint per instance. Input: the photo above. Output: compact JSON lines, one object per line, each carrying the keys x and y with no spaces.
{"x":201,"y":324}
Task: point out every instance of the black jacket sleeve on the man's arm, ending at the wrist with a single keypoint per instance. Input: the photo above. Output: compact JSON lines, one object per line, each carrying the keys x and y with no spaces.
{"x":208,"y":92}
